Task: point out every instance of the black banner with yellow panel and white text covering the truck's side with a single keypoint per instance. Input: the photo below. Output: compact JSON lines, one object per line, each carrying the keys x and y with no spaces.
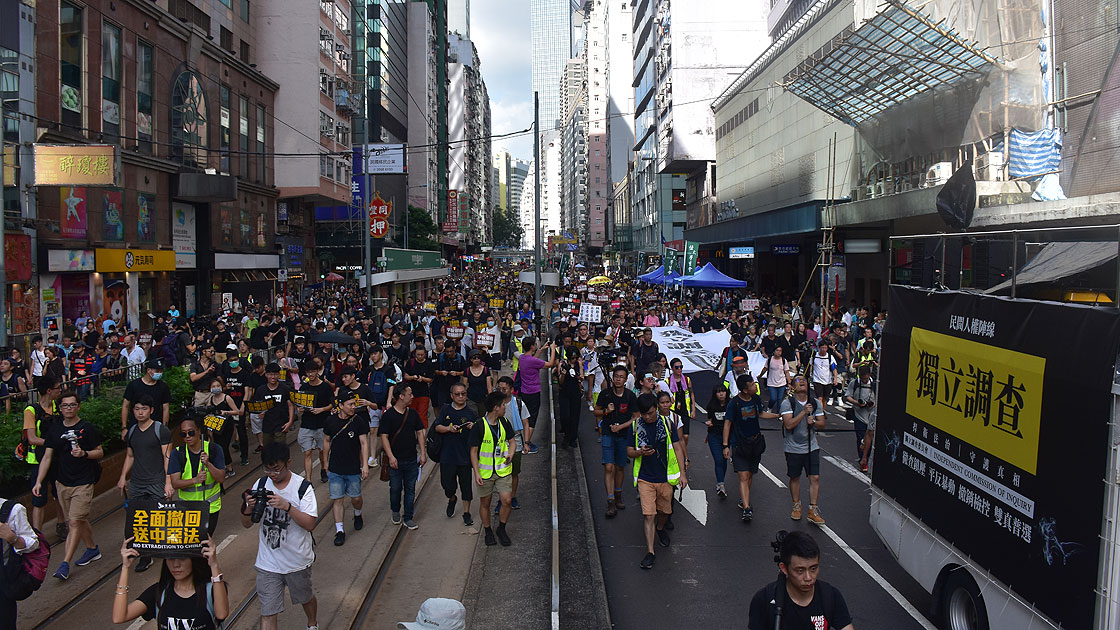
{"x":994,"y":431}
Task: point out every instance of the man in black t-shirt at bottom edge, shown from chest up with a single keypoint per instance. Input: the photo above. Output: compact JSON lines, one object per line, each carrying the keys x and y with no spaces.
{"x":798,"y":600}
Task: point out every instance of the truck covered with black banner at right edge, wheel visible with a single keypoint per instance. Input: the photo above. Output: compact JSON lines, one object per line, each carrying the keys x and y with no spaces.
{"x":996,"y":469}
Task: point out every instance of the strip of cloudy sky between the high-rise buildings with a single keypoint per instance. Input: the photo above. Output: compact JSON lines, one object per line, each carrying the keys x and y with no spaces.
{"x":500,"y":30}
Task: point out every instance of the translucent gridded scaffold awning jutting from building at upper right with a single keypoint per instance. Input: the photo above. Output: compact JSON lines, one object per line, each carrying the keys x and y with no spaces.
{"x":892,"y":58}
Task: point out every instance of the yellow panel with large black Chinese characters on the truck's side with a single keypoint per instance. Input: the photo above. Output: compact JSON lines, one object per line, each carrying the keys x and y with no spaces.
{"x":987,"y":396}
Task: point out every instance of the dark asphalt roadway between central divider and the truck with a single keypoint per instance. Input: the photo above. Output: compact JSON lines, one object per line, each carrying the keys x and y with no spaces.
{"x":711,"y":572}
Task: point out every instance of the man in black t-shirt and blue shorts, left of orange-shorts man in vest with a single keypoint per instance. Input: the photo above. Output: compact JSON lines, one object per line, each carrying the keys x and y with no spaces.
{"x":617,"y":410}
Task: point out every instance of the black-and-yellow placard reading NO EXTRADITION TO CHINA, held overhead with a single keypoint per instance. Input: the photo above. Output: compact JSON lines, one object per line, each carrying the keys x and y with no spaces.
{"x":167,"y":529}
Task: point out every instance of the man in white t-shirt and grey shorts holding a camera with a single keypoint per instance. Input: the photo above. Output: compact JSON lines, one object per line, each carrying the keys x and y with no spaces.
{"x":284,"y":505}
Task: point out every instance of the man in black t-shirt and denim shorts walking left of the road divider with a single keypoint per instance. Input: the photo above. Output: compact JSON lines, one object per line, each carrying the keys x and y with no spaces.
{"x":348,"y":448}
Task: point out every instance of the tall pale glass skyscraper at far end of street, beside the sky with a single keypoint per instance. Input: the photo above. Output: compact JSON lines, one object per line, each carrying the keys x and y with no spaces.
{"x":550,"y":33}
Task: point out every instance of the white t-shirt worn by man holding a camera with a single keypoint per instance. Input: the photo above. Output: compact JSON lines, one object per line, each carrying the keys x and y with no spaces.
{"x":285,"y":546}
